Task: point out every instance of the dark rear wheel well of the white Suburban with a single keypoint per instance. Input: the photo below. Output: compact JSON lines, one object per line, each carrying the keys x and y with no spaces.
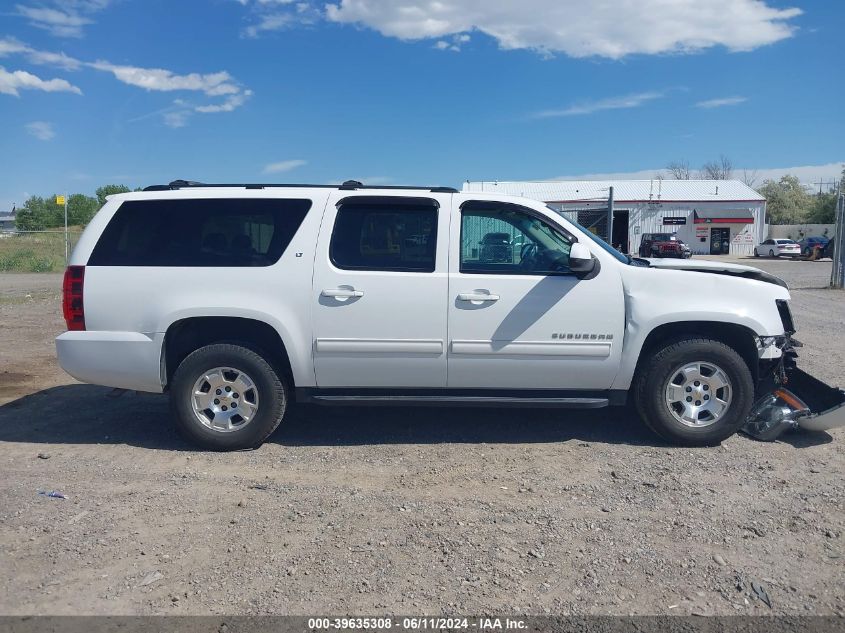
{"x":187,"y":335}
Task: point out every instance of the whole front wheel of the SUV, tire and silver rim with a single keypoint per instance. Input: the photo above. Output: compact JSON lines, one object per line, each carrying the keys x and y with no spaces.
{"x":694,"y":392}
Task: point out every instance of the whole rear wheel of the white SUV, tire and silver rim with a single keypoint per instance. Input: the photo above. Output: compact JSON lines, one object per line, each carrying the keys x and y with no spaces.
{"x":227,"y":397}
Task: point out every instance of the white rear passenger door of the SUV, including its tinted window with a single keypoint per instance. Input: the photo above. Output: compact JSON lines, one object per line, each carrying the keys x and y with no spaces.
{"x":379,"y":291}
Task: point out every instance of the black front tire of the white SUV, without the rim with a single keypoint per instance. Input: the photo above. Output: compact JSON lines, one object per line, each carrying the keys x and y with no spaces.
{"x":655,"y":372}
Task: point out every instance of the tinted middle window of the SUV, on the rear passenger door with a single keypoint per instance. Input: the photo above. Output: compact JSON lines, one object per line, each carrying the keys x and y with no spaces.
{"x":385,"y":237}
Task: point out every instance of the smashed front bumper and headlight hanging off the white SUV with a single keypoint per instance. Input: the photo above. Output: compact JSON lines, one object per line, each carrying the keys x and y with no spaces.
{"x":794,"y":399}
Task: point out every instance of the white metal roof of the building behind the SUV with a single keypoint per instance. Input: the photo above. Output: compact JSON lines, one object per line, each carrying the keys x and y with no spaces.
{"x":623,"y":190}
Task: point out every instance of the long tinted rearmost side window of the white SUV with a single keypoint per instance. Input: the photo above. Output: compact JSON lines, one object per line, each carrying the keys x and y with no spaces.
{"x":201,"y":232}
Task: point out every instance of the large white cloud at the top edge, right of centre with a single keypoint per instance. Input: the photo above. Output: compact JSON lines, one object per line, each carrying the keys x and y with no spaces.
{"x":612,"y":28}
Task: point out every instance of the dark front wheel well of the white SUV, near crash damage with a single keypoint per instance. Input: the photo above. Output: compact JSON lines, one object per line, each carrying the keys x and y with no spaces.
{"x":738,"y":337}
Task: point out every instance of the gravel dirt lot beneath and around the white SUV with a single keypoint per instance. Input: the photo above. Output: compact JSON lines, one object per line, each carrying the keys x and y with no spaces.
{"x":407,"y":510}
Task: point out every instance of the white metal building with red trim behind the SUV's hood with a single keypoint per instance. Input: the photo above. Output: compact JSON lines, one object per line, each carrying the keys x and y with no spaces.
{"x":715,"y":217}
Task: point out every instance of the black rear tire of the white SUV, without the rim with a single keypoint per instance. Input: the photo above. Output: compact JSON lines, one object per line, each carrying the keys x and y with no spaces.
{"x":271,"y":397}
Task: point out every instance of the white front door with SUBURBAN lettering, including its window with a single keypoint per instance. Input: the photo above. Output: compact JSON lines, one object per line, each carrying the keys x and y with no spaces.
{"x":518,"y":319}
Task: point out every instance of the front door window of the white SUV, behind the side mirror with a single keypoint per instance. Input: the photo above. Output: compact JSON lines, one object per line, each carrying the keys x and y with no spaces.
{"x":507,"y":241}
